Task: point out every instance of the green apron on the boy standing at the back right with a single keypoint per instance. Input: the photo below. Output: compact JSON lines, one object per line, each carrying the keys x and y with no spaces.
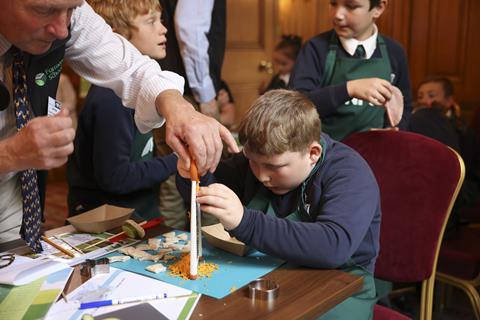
{"x":354,"y":115}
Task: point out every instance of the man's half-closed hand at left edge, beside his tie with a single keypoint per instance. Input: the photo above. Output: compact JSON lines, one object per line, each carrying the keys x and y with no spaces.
{"x":44,"y":143}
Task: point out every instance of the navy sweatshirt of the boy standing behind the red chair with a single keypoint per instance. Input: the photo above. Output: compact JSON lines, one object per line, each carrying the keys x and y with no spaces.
{"x":307,"y":75}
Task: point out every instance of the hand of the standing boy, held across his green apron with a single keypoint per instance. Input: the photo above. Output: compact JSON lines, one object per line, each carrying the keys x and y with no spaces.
{"x":373,"y":90}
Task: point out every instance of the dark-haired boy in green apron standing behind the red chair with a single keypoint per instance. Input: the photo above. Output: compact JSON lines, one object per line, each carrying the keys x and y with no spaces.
{"x":351,"y":72}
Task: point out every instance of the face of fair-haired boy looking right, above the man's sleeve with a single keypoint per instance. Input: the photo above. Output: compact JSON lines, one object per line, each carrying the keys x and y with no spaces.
{"x":148,"y":36}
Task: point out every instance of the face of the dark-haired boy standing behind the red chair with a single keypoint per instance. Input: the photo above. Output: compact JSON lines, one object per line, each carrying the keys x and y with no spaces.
{"x":353,"y":18}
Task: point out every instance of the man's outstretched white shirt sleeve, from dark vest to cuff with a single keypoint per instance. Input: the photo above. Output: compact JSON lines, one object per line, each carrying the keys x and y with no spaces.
{"x":108,"y":60}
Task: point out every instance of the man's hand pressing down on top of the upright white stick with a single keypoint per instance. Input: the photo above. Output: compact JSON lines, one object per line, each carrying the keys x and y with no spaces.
{"x":189,"y":132}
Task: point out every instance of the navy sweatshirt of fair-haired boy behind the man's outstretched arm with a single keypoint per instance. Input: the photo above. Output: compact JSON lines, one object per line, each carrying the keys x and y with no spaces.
{"x":100,"y":169}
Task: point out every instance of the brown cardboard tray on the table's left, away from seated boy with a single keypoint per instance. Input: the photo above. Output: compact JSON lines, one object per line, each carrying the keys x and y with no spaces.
{"x":101,"y":219}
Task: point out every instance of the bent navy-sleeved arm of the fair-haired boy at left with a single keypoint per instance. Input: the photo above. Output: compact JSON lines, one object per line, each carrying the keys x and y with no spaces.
{"x":112,"y":146}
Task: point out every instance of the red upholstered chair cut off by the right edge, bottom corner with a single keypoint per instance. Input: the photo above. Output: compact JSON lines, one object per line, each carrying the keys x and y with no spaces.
{"x":459,"y":263}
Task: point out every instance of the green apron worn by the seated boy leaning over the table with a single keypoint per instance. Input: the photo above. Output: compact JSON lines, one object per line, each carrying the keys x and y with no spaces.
{"x":360,"y":305}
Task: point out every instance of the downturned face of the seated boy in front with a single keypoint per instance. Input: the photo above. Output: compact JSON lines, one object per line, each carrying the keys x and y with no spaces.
{"x":284,"y":172}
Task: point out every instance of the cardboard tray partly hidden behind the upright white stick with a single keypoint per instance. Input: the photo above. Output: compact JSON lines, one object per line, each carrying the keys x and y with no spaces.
{"x":218,"y":237}
